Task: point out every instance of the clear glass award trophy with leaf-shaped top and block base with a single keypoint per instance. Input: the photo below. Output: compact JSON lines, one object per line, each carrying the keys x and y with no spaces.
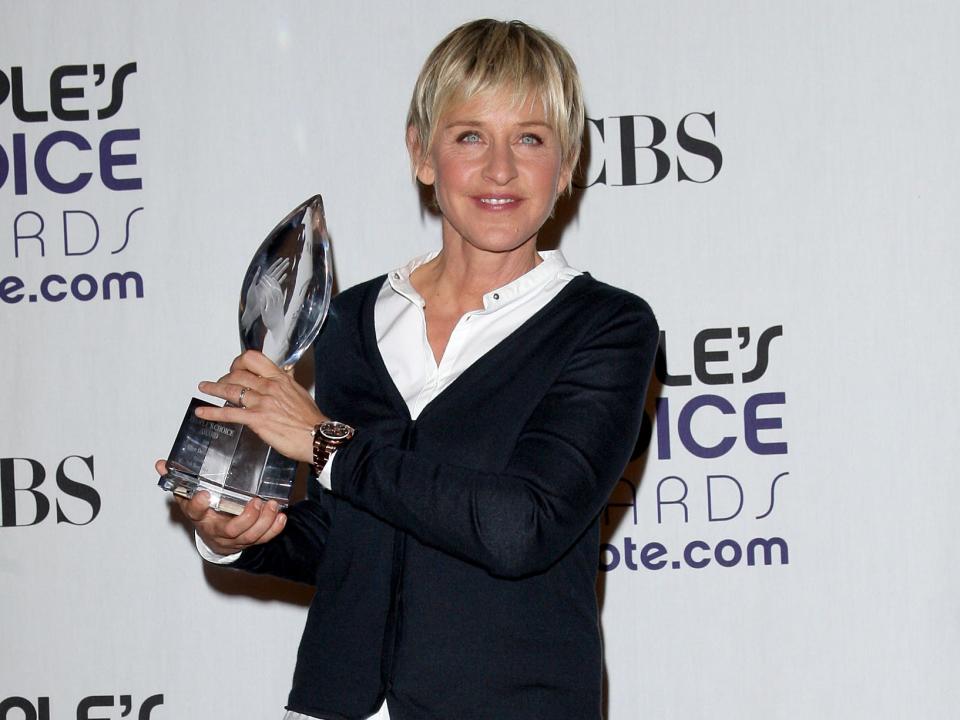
{"x":283,"y":303}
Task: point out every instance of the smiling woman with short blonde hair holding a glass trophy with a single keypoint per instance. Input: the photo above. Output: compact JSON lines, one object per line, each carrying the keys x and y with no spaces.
{"x":488,"y":398}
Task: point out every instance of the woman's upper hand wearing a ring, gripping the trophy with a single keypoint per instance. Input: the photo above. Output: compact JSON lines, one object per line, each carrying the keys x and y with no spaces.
{"x":269,"y":401}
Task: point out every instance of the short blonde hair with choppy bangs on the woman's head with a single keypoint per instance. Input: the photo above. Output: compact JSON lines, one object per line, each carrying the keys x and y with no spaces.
{"x":493,"y":54}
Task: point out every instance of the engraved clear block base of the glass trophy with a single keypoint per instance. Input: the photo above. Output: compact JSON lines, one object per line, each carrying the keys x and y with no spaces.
{"x":228,"y":461}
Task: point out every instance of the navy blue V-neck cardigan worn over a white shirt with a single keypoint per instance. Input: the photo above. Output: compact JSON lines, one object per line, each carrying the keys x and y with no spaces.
{"x":455,"y":560}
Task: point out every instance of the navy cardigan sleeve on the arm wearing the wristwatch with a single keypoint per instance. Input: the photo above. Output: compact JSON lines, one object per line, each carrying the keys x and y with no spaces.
{"x":564,"y":464}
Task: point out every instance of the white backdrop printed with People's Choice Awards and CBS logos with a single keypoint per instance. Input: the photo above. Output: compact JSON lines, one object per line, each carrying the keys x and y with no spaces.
{"x":778,"y":180}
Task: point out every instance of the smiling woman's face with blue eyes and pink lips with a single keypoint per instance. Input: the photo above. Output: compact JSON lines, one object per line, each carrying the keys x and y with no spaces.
{"x":496,"y":169}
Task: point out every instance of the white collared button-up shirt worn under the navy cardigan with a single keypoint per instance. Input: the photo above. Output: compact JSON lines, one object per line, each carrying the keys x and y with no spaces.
{"x":401,"y":330}
